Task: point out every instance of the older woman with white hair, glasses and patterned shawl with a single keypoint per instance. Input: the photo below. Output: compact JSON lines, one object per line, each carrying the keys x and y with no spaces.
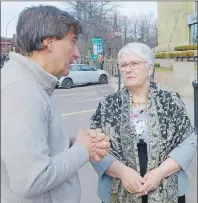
{"x":149,"y":130}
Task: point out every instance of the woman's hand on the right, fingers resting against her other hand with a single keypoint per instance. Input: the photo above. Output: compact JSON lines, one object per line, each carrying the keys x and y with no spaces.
{"x":152,"y":180}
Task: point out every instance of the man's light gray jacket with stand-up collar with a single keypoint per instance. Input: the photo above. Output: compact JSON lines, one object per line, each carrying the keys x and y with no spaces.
{"x":38,"y":163}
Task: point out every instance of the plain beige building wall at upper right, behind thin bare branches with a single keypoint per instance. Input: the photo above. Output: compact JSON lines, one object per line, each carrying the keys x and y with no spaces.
{"x":172,"y":20}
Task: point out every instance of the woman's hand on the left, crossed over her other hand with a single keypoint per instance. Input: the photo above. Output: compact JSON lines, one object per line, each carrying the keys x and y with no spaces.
{"x":131,"y":180}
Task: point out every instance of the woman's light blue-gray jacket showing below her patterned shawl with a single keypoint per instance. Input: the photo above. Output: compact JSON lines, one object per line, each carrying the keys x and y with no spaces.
{"x":182,"y":154}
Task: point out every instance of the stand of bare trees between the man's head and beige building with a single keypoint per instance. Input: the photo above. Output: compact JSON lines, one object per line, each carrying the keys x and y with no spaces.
{"x":100,"y":19}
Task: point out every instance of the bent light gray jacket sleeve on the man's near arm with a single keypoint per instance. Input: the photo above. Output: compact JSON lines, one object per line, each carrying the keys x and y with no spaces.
{"x":25,"y":145}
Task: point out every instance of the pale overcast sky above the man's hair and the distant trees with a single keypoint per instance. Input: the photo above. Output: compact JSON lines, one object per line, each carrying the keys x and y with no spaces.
{"x":10,"y":10}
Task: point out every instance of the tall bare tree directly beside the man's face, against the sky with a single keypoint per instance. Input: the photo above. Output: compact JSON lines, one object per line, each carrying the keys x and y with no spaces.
{"x":95,"y":19}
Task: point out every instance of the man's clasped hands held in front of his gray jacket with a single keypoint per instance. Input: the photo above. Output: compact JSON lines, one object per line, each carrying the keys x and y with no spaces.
{"x":96,"y":142}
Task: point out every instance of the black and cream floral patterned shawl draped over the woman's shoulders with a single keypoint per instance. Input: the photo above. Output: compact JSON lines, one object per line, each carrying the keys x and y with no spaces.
{"x":168,"y":124}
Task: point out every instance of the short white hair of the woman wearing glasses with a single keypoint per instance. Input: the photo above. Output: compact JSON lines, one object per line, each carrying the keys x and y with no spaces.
{"x":142,"y":50}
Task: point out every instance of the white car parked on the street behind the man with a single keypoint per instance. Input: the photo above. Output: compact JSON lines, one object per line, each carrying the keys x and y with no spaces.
{"x":83,"y":74}
